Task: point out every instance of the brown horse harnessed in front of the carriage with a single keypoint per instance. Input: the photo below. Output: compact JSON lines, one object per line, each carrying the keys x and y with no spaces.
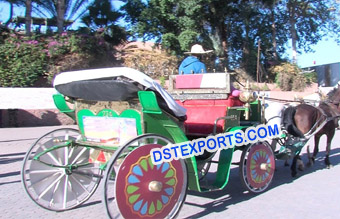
{"x":311,"y":121}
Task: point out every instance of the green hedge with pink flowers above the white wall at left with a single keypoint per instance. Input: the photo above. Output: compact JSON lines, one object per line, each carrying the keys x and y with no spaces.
{"x":23,"y":60}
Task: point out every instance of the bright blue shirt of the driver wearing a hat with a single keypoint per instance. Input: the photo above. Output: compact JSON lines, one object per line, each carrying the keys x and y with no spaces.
{"x":190,"y":65}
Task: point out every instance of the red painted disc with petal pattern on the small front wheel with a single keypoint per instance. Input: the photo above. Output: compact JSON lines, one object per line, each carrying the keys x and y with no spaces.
{"x":260,"y":165}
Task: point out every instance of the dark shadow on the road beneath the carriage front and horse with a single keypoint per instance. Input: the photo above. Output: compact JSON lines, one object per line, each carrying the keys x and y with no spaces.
{"x":235,"y":193}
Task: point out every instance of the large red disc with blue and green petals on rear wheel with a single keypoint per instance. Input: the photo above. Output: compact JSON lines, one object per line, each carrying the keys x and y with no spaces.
{"x":147,"y":190}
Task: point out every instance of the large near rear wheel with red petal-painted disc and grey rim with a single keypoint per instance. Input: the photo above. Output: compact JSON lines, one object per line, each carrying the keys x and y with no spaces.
{"x":136,"y":188}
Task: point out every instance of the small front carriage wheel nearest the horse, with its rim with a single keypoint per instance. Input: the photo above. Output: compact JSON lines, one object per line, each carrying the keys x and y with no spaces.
{"x":257,"y":167}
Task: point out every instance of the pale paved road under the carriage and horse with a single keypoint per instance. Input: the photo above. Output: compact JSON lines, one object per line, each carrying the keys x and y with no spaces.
{"x":314,"y":194}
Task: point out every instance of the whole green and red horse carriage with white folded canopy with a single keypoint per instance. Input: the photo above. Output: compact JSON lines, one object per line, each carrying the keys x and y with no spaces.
{"x":122,"y":115}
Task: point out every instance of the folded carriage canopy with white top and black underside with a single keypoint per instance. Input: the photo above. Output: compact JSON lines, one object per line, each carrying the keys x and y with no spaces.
{"x":114,"y":84}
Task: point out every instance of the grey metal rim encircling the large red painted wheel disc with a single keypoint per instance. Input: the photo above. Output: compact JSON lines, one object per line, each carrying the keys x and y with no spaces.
{"x":114,"y":166}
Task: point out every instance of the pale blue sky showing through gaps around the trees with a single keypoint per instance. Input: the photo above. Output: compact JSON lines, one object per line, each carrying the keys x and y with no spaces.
{"x":326,"y":51}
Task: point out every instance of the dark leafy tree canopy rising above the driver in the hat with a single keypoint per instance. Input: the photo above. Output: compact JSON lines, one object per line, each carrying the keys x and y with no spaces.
{"x":234,"y":27}
